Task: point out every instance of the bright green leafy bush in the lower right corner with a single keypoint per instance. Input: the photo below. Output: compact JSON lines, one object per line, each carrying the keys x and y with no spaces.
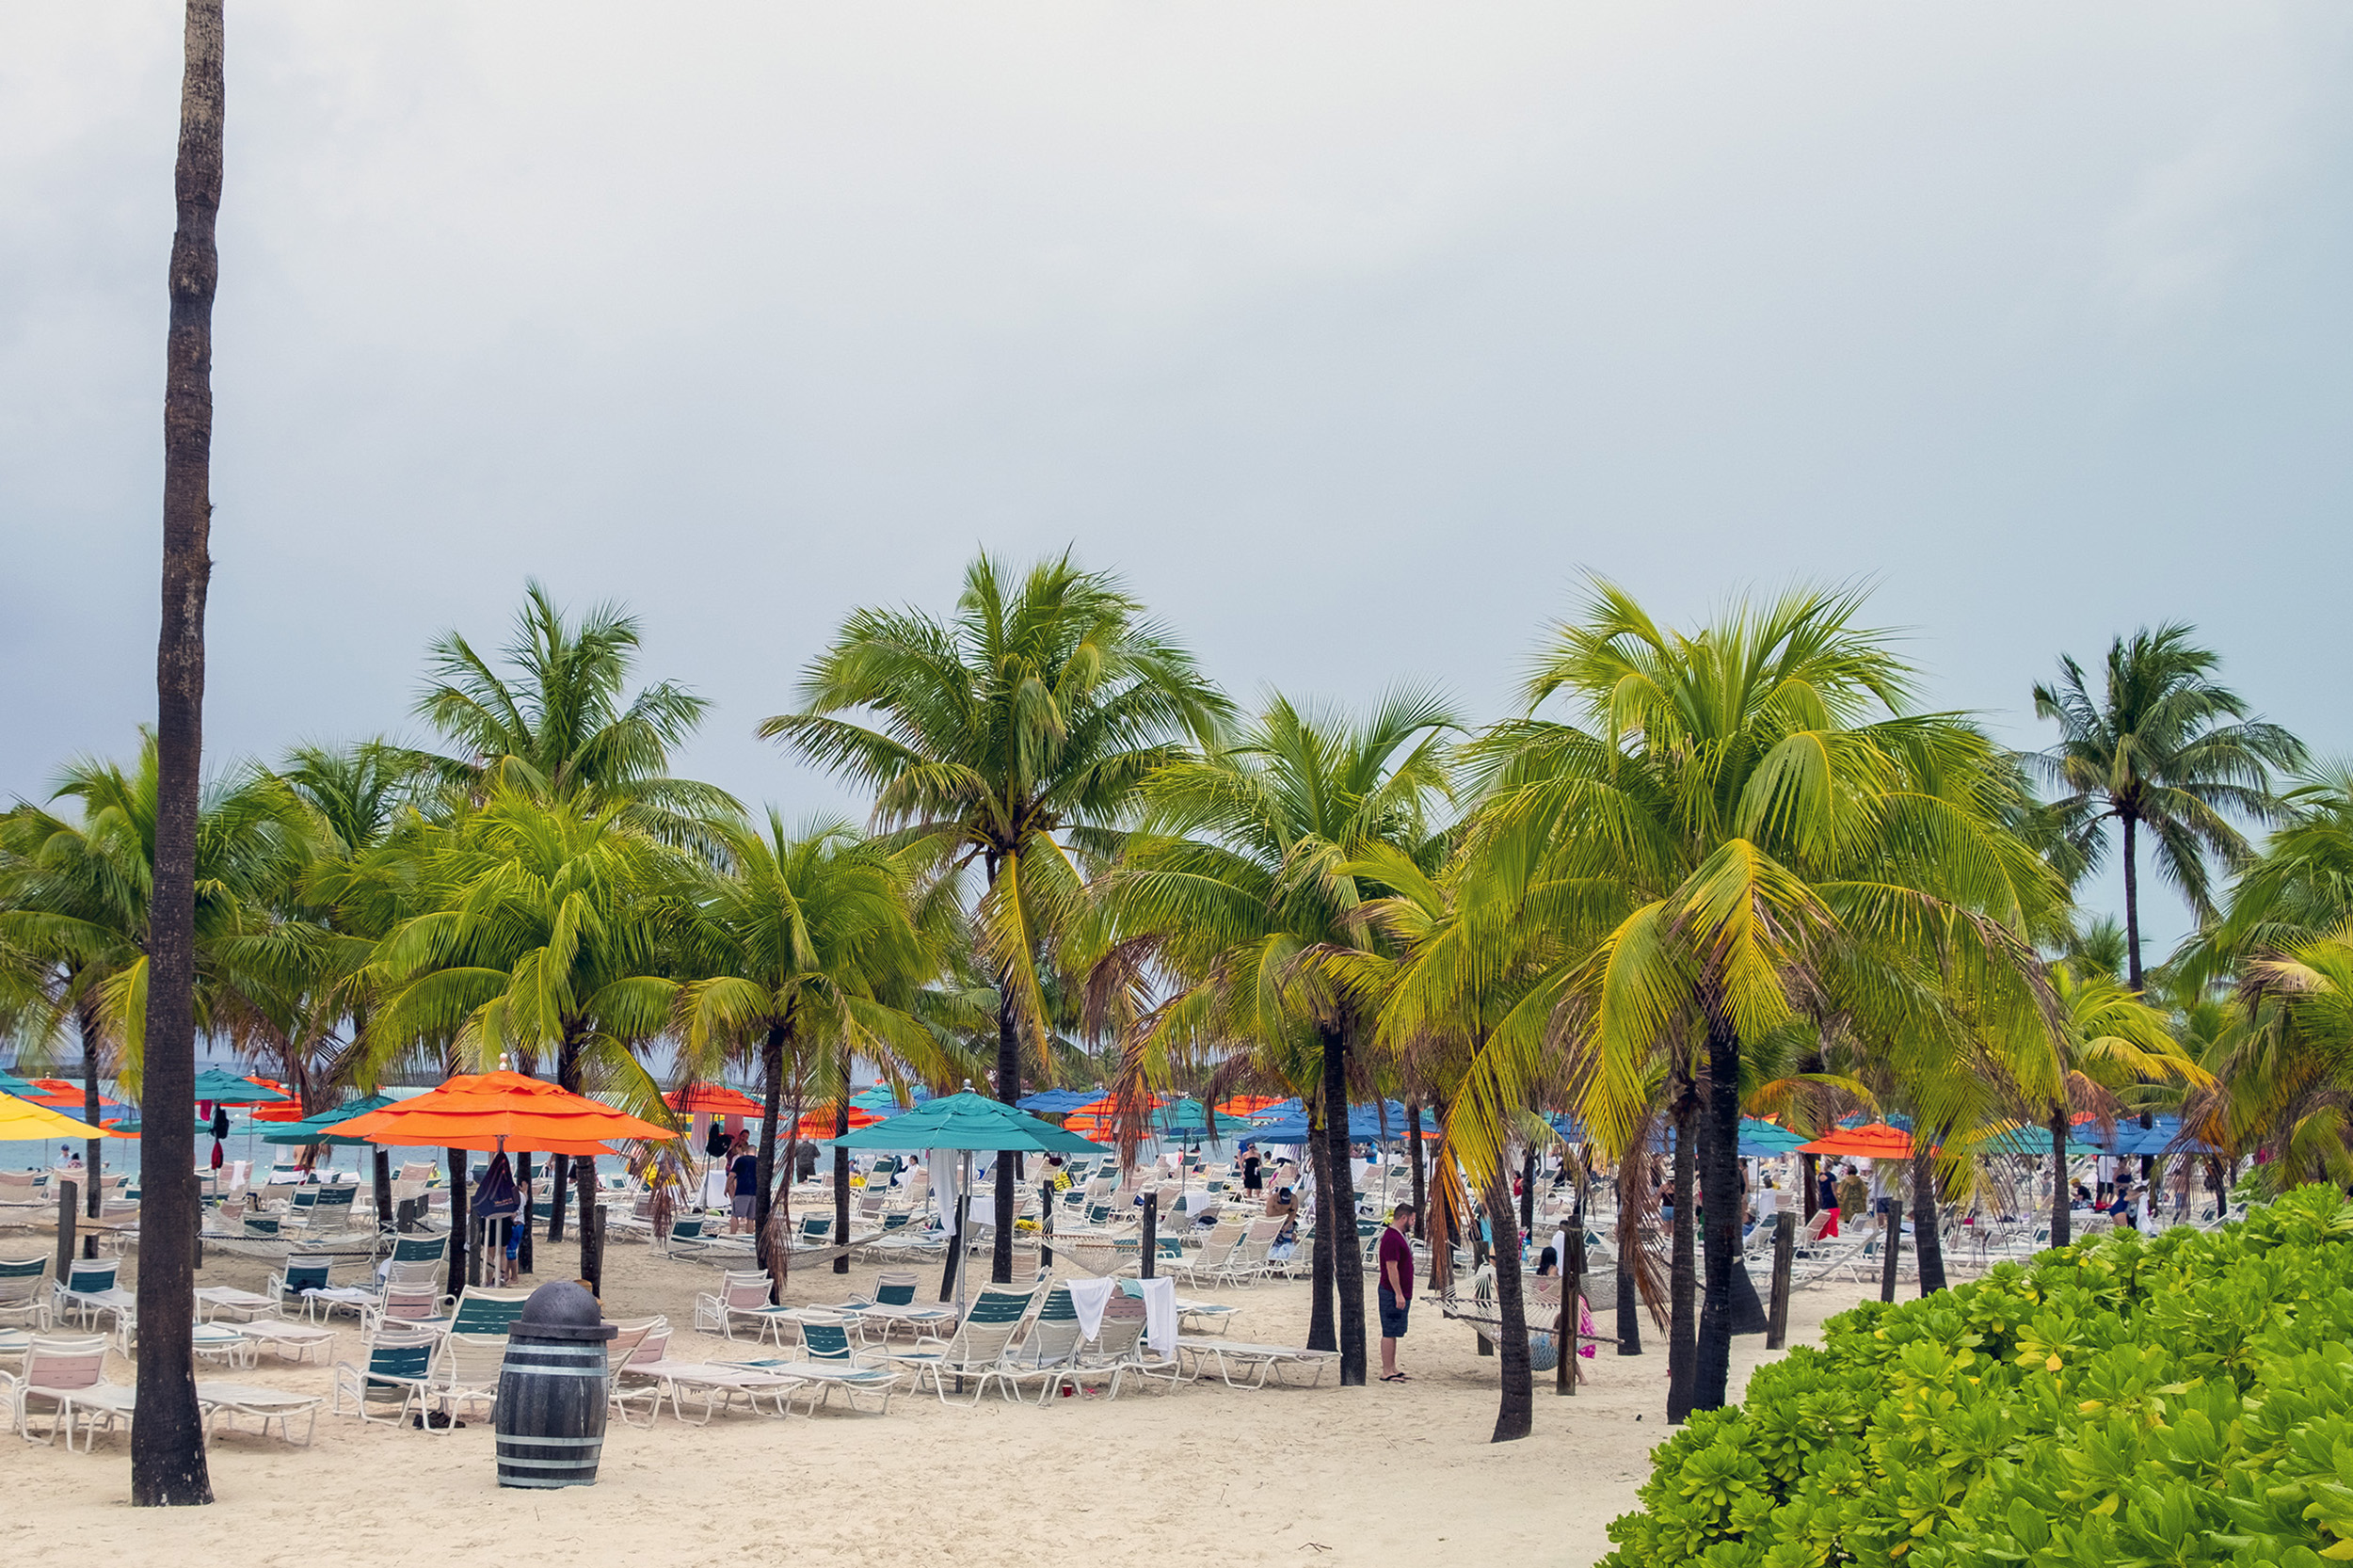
{"x":2117,"y":1404}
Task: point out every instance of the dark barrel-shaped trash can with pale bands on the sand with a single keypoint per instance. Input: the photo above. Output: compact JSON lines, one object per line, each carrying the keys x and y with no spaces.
{"x":552,"y":1390}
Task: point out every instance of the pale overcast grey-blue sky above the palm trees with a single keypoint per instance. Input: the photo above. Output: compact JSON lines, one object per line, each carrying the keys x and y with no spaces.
{"x":1349,"y":335}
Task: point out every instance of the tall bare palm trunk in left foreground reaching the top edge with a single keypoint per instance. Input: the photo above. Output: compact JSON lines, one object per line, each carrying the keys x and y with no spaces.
{"x":168,"y":1440}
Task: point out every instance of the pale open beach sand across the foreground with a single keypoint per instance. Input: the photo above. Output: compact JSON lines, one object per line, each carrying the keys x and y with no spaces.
{"x":1380,"y":1475}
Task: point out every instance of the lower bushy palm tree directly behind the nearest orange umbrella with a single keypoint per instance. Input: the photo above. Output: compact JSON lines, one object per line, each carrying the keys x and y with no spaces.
{"x":535,"y":934}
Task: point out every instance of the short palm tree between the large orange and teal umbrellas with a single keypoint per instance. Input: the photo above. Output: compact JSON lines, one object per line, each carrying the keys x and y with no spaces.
{"x":813,"y":945}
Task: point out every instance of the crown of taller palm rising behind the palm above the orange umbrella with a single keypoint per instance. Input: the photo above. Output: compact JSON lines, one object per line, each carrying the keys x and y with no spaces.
{"x":556,"y":724}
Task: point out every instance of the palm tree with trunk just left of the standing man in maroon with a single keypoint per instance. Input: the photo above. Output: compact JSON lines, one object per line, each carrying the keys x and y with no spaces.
{"x":1244,"y":877}
